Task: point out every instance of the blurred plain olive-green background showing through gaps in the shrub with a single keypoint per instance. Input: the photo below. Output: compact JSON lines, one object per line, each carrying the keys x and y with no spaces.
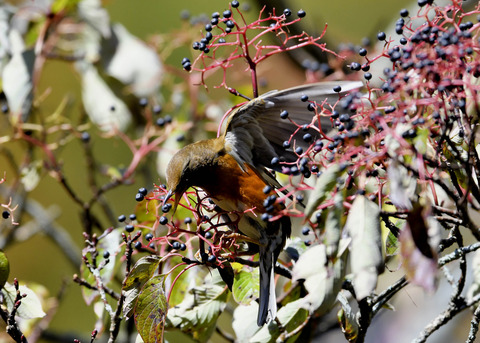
{"x":38,"y":259}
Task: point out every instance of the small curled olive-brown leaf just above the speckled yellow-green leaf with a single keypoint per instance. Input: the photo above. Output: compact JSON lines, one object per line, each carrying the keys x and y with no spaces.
{"x":141,"y":272}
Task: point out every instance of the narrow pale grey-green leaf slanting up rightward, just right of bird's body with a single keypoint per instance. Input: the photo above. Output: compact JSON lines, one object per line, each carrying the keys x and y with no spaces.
{"x":325,"y":184}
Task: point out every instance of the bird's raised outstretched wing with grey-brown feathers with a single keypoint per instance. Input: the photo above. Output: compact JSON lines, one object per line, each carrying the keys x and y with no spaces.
{"x":255,"y":131}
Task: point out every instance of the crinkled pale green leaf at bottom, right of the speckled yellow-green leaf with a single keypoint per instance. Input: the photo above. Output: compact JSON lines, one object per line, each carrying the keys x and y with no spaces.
{"x":198,"y":313}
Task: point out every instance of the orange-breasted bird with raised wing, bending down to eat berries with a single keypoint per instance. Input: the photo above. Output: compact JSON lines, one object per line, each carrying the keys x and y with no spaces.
{"x":233,"y":169}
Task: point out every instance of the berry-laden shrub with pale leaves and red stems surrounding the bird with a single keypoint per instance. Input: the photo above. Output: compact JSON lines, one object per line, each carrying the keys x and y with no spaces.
{"x":392,"y":181}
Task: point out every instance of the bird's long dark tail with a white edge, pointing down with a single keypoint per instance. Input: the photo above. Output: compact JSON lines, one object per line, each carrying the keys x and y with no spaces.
{"x":268,"y":301}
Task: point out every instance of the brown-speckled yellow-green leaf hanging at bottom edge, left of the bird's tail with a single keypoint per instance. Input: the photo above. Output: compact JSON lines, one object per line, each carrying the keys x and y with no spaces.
{"x":151,"y":310}
